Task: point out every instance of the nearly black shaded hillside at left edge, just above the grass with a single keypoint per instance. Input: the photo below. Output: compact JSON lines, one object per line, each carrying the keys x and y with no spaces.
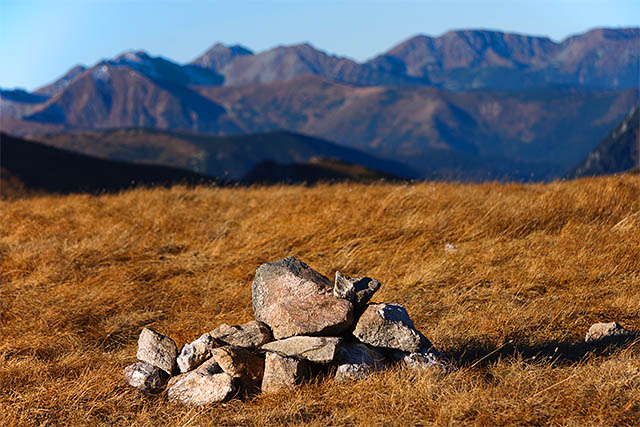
{"x":29,"y":167}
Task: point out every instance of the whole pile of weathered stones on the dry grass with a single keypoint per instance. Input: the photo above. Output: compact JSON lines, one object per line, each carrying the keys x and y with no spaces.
{"x":304,"y":326}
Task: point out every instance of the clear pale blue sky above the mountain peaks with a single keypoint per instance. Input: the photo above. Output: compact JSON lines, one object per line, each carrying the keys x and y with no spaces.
{"x":42,"y":39}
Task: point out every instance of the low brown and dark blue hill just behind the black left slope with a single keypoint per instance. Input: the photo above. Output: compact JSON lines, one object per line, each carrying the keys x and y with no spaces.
{"x":231,"y":157}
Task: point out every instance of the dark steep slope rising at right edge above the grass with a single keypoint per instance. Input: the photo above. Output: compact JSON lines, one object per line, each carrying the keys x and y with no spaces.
{"x":617,"y":152}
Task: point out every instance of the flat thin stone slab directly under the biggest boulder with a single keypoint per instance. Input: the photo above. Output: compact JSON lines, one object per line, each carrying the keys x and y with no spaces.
{"x":314,"y":349}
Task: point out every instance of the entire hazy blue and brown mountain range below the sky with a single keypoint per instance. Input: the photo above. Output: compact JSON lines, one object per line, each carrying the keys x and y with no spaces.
{"x":470,"y":104}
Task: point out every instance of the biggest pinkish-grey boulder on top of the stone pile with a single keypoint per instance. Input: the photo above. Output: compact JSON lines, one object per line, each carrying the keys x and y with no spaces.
{"x":293,"y":299}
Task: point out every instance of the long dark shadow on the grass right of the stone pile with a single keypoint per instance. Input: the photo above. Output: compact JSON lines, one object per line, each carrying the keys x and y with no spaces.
{"x":482,"y":354}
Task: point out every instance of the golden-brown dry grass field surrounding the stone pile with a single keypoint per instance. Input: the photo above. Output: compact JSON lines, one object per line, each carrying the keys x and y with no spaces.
{"x":537,"y":265}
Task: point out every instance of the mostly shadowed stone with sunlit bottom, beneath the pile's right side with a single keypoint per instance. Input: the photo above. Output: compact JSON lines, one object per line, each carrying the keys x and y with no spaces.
{"x":356,"y":360}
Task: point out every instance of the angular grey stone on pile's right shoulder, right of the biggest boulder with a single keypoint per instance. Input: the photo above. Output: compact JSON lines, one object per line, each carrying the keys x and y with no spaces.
{"x":389,"y":326}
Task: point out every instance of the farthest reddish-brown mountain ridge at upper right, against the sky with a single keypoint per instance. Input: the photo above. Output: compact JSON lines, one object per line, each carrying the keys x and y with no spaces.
{"x":467,"y":59}
